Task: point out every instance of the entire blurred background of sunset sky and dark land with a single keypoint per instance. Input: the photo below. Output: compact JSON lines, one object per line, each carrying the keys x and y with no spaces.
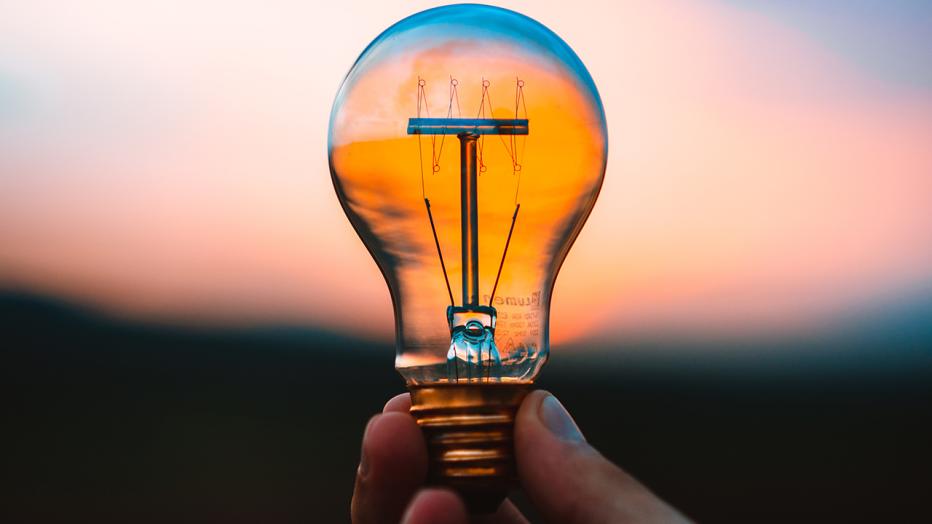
{"x":190,"y":330}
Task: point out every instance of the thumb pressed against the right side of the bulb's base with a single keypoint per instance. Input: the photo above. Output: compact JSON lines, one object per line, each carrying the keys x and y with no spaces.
{"x":568,"y":480}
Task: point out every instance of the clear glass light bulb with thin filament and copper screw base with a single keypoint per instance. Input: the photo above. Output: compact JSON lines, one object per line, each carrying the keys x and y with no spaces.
{"x":467,"y":146}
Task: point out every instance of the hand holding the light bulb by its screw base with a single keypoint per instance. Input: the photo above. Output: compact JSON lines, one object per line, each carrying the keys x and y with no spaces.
{"x":565,"y":477}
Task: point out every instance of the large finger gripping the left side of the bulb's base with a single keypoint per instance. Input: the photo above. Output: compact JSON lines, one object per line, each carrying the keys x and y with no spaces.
{"x":393,"y":465}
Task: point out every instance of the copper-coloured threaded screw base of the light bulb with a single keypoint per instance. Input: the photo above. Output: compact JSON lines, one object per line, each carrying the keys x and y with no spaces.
{"x":469,"y":429}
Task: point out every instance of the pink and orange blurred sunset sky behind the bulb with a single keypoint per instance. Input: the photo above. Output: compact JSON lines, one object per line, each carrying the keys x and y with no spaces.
{"x":769,"y":164}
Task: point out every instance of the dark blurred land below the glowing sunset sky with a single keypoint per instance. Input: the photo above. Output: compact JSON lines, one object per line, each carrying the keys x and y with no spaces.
{"x":111,"y":420}
